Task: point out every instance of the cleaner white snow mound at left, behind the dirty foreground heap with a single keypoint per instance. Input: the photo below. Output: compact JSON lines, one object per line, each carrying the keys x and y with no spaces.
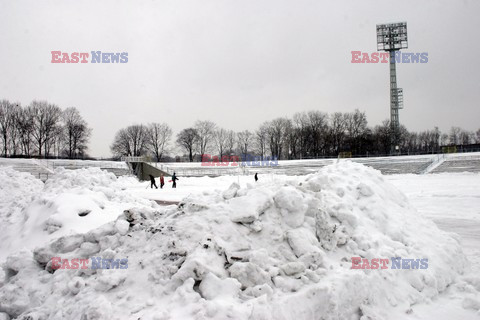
{"x":71,"y":201}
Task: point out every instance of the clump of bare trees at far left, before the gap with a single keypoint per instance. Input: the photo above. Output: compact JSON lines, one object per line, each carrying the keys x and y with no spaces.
{"x":42,"y":129}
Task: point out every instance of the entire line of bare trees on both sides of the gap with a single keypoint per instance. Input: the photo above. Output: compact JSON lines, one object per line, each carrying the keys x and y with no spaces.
{"x":43,"y":129}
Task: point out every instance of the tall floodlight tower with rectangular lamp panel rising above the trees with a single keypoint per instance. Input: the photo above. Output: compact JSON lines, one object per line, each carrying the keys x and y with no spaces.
{"x":391,"y":38}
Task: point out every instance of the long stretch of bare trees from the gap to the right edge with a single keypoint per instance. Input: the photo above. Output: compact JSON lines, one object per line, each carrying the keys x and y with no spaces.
{"x":307,"y":135}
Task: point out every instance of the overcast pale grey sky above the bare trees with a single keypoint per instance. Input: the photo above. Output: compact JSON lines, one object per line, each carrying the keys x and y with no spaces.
{"x":239,"y":63}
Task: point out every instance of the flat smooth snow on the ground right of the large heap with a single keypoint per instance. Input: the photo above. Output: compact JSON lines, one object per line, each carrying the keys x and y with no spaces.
{"x":452,"y":201}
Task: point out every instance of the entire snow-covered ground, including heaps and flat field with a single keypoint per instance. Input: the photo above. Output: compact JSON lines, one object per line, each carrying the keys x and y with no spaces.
{"x":280,"y":248}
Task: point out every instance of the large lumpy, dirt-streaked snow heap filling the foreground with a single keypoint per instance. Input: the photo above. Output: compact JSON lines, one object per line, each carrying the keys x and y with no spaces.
{"x":264,"y":252}
